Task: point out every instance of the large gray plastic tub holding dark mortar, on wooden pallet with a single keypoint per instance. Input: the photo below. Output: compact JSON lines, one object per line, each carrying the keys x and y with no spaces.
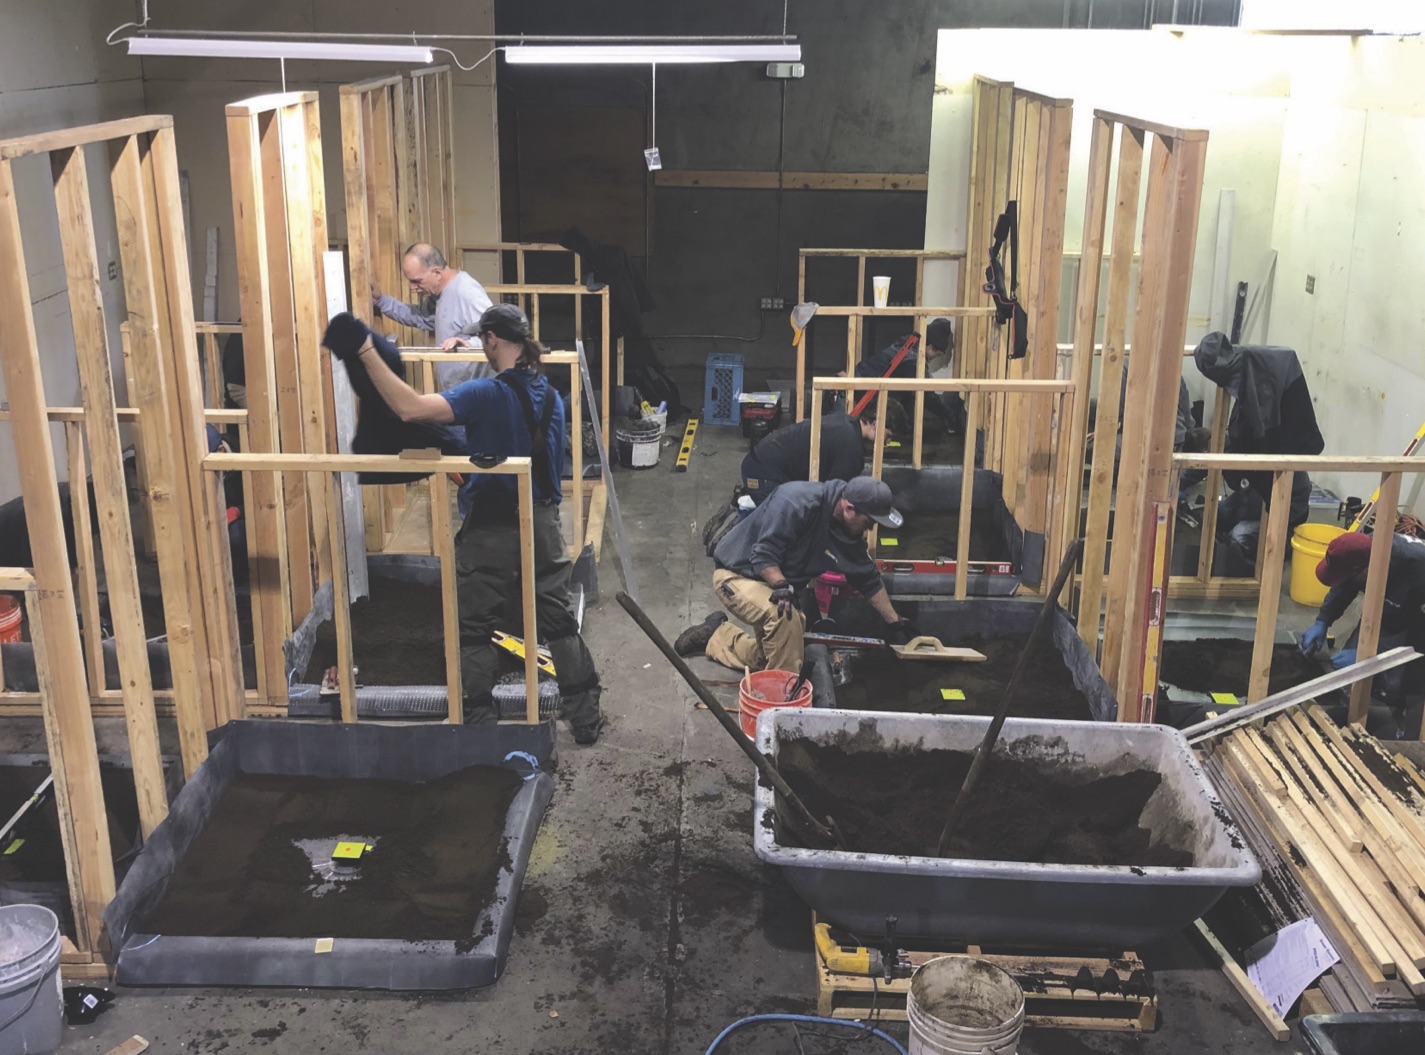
{"x":1042,"y":905}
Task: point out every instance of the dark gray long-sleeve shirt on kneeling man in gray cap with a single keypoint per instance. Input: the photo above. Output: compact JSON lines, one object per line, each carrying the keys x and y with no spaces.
{"x":794,"y":531}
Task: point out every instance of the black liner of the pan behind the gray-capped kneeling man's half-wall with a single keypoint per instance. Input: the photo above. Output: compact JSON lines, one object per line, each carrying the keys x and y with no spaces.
{"x":937,"y":490}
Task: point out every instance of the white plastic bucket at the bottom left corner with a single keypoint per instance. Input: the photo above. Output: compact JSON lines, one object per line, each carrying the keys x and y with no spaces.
{"x":32,"y":1002}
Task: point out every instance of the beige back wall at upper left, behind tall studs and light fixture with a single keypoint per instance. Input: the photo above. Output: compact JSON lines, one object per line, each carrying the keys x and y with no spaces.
{"x":196,"y":92}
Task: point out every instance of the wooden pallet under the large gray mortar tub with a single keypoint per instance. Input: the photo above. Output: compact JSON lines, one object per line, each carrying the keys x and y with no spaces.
{"x":1061,"y":993}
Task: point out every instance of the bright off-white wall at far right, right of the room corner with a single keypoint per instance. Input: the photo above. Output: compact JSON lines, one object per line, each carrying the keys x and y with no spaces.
{"x":1352,"y":215}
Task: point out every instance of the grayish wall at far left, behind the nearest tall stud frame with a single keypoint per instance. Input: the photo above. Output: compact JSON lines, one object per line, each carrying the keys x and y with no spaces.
{"x":56,"y":72}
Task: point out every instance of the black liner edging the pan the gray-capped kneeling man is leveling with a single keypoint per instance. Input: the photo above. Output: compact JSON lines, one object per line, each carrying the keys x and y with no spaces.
{"x":964,"y":621}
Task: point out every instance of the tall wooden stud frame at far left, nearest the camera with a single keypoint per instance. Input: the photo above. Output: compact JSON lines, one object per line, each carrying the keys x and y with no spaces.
{"x":140,"y":173}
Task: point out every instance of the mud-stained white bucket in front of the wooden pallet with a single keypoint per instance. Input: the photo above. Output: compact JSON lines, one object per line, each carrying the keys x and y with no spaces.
{"x":960,"y":1006}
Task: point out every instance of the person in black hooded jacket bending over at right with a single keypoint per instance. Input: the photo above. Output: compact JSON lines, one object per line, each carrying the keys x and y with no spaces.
{"x":1272,"y":416}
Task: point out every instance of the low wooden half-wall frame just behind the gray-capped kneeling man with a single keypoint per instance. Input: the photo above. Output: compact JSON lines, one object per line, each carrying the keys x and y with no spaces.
{"x":1047,"y":397}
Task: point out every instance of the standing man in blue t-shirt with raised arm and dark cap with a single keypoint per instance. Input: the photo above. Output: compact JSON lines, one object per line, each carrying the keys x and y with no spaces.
{"x":515,"y":414}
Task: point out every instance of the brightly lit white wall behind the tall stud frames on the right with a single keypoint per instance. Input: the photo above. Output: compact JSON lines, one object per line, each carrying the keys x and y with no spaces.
{"x":1193,"y":81}
